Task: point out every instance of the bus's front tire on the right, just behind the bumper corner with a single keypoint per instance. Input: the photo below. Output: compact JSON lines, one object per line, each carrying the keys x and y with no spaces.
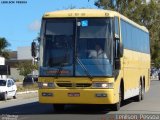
{"x":117,"y":106}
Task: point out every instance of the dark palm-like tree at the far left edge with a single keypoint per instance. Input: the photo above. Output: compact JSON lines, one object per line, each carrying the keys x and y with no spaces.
{"x":3,"y":47}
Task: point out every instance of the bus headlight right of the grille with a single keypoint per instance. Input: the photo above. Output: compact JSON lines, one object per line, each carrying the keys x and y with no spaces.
{"x":102,"y":85}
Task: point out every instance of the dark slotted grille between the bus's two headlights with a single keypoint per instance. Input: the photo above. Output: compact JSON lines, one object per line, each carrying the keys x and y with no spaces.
{"x":74,"y":84}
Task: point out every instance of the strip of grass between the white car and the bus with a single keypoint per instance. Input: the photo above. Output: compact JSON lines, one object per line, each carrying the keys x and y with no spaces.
{"x":27,"y":88}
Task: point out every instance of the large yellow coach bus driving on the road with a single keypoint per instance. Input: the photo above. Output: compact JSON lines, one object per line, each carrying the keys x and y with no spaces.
{"x":91,"y":56}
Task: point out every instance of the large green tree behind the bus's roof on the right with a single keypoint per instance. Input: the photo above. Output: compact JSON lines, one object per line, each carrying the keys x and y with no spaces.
{"x":147,"y":14}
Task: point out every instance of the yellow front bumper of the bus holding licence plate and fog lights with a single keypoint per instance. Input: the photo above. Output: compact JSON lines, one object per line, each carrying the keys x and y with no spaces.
{"x":77,"y":96}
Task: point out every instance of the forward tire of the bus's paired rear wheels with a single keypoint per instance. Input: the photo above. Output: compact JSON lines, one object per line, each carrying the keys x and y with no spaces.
{"x":140,"y":97}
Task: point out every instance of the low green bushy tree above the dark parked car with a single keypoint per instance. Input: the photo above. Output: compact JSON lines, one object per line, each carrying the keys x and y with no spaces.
{"x":26,"y":68}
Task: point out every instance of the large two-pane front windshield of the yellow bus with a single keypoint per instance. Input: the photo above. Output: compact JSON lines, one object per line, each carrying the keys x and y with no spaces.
{"x":90,"y":40}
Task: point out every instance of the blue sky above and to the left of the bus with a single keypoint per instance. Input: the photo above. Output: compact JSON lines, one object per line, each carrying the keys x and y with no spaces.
{"x":20,"y":22}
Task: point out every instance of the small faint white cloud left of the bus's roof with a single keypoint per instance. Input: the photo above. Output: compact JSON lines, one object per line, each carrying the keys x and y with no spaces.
{"x":35,"y":25}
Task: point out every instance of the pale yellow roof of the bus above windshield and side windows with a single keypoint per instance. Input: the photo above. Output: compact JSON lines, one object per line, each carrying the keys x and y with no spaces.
{"x":81,"y":13}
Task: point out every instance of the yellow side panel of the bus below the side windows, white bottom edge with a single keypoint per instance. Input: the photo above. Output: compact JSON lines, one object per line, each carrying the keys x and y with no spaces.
{"x":135,"y":67}
